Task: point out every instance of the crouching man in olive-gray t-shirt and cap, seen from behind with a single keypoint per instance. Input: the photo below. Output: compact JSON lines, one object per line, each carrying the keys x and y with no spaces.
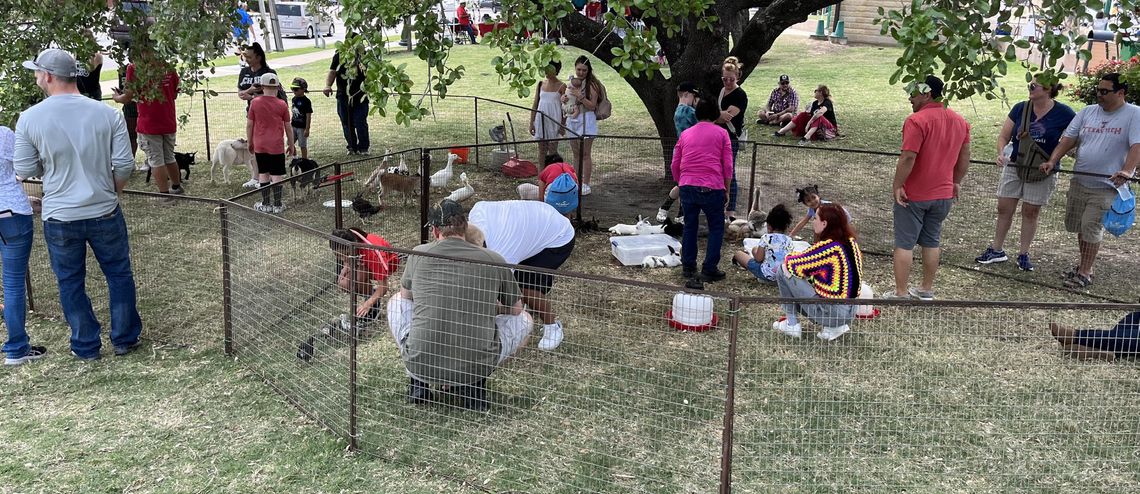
{"x":446,"y":319}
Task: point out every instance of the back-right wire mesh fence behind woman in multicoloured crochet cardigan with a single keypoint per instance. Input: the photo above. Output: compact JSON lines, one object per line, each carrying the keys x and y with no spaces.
{"x":862,"y":183}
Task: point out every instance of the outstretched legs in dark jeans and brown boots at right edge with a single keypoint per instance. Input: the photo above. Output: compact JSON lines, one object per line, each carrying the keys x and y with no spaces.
{"x":1103,"y":345}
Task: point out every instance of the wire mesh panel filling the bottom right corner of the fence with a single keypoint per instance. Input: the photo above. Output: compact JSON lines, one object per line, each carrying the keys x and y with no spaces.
{"x":933,"y":398}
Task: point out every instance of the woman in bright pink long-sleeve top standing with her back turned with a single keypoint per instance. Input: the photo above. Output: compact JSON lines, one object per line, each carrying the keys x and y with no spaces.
{"x":703,"y":167}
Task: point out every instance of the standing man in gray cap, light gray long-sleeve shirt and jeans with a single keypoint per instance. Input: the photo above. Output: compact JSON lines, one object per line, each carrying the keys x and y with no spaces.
{"x":82,"y":150}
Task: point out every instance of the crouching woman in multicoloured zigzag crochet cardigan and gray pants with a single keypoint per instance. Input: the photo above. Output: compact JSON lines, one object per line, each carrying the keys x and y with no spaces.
{"x":832,"y":270}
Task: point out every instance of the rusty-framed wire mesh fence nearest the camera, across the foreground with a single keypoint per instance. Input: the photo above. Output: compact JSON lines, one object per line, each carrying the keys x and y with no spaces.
{"x":929,"y":394}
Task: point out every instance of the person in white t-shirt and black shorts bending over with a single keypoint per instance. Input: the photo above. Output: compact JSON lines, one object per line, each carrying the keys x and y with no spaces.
{"x":527,"y":233}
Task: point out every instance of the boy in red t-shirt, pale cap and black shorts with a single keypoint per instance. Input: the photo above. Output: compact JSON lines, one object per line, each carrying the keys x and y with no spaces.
{"x":268,"y":120}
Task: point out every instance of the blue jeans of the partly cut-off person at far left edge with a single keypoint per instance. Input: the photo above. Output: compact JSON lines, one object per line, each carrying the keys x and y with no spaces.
{"x":17,"y":248}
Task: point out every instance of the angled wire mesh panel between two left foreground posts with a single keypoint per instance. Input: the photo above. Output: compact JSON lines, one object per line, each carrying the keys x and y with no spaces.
{"x":287,"y":313}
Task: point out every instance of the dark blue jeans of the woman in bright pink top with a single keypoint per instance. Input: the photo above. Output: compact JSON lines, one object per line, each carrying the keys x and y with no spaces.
{"x":711,"y":201}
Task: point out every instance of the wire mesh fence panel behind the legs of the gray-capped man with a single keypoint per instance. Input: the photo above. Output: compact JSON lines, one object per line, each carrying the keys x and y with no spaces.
{"x":177,"y":266}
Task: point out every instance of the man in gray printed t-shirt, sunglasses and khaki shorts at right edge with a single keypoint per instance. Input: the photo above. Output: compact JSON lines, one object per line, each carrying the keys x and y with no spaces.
{"x":1110,"y":137}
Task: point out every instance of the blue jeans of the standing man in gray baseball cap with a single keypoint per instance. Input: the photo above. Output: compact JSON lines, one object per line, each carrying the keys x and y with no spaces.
{"x":68,"y":244}
